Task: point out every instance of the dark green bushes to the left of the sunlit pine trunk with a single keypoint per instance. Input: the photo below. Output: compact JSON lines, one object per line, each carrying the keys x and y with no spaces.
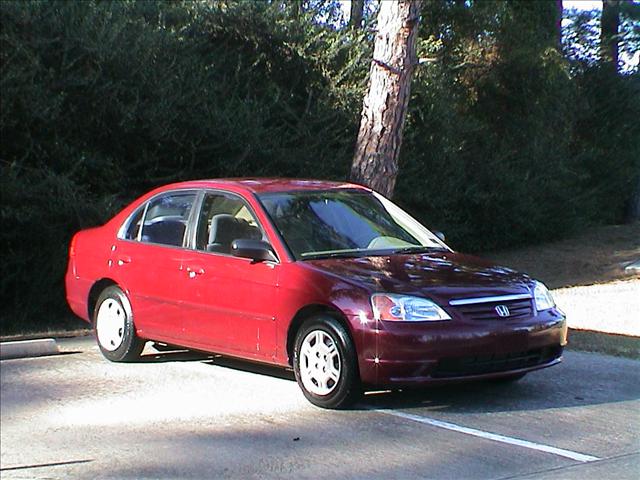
{"x":103,"y":100}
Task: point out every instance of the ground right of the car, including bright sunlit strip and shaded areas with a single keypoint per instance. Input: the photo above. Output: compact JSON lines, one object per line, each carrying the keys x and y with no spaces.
{"x":590,"y":284}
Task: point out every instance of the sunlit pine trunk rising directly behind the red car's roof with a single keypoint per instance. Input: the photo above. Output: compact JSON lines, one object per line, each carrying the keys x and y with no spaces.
{"x":375,"y":162}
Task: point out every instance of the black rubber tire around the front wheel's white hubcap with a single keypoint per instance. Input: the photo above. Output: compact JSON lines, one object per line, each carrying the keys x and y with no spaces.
{"x":347,"y":389}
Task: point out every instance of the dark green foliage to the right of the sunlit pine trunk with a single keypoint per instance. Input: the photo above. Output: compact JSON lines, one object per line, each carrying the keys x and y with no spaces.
{"x":508,"y":147}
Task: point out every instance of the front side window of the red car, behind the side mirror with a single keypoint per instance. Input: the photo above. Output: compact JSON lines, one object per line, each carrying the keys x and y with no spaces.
{"x":223,"y":219}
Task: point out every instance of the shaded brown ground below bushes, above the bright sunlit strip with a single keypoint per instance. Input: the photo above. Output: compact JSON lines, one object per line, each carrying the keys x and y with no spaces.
{"x":596,"y":256}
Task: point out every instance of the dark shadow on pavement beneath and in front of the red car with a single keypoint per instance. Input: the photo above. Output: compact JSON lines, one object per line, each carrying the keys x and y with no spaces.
{"x":583,"y":379}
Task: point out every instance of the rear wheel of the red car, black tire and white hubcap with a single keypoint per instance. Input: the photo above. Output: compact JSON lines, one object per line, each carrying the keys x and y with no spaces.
{"x":116,"y":344}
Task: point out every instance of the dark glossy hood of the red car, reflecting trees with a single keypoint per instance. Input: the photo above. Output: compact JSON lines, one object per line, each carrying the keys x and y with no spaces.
{"x":439,"y":275}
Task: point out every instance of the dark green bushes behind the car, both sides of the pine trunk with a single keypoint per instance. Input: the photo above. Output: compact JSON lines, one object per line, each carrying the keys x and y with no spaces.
{"x":102,"y":100}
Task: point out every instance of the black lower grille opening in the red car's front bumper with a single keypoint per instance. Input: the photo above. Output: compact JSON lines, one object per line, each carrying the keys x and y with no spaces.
{"x":492,"y":363}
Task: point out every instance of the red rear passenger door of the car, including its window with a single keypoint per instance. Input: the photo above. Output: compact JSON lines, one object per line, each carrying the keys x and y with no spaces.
{"x":147,"y":261}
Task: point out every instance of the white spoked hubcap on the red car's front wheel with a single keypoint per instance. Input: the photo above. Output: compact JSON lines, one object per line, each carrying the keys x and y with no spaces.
{"x":319,"y":363}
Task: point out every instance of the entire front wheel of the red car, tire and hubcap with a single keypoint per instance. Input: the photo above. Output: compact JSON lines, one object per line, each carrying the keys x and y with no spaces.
{"x":325,"y":363}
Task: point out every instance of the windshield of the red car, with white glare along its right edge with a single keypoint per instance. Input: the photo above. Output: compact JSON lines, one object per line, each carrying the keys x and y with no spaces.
{"x":317,"y":224}
